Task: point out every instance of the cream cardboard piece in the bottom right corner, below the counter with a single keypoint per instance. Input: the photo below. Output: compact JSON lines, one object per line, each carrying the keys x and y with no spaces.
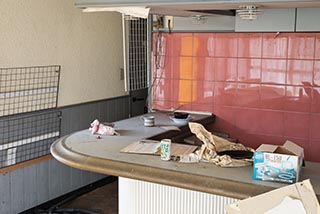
{"x":302,"y":191}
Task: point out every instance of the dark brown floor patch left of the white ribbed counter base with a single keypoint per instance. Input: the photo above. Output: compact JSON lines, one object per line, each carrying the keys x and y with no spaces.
{"x":103,"y":200}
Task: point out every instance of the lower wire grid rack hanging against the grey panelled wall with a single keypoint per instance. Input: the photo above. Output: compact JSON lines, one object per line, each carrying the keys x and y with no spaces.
{"x":28,"y":136}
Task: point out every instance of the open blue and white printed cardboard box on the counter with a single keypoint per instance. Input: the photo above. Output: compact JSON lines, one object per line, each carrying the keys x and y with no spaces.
{"x":278,"y":163}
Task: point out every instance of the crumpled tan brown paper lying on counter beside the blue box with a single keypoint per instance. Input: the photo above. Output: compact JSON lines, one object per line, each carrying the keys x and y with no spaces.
{"x":212,"y":145}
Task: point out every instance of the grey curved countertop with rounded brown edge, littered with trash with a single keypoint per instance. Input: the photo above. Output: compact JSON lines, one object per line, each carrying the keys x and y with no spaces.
{"x":84,"y":151}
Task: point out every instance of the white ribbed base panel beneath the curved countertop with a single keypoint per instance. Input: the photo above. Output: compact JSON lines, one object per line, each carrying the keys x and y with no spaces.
{"x":140,"y":197}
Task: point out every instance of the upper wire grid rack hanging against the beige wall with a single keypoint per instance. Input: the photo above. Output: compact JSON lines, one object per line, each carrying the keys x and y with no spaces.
{"x":27,"y":89}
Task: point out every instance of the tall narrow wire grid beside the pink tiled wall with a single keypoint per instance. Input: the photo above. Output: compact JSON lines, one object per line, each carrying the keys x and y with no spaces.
{"x":137,"y":54}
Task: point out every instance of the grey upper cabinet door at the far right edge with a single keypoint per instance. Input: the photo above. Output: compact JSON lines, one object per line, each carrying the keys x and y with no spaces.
{"x":308,"y":19}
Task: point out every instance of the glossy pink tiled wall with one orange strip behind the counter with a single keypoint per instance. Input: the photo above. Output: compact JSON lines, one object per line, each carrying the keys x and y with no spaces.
{"x":263,"y":87}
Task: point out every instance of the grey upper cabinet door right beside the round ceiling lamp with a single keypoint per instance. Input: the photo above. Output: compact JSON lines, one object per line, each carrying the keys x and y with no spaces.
{"x":271,"y":20}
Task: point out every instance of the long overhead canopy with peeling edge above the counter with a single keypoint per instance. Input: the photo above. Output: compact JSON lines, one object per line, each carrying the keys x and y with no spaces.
{"x":189,"y":7}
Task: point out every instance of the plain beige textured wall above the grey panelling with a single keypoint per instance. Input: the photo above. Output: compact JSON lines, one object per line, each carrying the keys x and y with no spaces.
{"x":88,"y":46}
